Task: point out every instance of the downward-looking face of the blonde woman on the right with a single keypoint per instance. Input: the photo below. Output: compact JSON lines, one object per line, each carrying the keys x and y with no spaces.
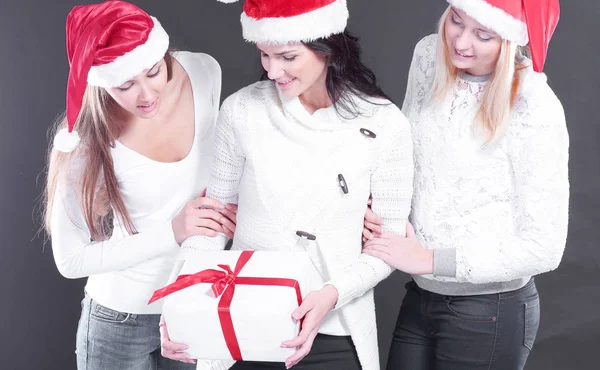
{"x":472,"y":47}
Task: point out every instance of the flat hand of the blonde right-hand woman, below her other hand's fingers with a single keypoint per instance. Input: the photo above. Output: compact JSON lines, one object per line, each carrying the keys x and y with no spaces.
{"x":403,"y":253}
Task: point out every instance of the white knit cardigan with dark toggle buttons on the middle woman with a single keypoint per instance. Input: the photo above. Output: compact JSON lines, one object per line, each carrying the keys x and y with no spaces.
{"x":282,"y":163}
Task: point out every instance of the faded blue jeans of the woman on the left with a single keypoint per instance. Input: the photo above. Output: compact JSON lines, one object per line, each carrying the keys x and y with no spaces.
{"x":112,"y":340}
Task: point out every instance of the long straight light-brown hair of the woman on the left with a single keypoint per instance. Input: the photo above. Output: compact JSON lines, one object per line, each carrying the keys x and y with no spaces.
{"x":96,"y":185}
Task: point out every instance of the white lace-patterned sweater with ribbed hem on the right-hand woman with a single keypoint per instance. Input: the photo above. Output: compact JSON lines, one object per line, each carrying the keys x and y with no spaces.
{"x":494,"y":215}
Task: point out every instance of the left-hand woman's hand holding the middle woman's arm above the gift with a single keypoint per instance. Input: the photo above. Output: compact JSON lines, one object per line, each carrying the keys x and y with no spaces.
{"x":202,"y":216}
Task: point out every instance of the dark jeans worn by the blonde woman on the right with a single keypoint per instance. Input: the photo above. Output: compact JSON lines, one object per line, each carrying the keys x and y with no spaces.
{"x":491,"y":331}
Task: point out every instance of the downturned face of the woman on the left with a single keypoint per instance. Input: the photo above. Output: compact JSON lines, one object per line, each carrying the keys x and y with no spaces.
{"x":140,"y":96}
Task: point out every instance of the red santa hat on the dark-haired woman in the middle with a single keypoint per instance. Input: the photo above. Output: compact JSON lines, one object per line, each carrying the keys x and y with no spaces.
{"x":283,"y":21}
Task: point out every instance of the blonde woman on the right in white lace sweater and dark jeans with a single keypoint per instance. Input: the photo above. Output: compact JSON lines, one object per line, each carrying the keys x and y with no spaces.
{"x":491,"y":190}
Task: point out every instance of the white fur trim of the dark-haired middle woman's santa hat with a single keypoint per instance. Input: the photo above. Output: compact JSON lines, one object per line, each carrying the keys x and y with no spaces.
{"x":318,"y":23}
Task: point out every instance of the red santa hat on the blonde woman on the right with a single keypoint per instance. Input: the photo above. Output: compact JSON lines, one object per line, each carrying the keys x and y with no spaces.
{"x":519,"y":21}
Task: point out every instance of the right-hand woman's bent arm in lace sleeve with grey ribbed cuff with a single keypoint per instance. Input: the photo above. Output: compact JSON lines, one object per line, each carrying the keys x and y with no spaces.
{"x":538,"y":150}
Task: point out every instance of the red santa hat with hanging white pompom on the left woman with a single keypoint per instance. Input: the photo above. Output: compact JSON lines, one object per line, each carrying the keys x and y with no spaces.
{"x":107,"y":44}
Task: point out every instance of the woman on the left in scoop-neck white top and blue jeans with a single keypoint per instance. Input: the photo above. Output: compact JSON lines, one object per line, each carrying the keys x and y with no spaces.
{"x":123,"y":188}
